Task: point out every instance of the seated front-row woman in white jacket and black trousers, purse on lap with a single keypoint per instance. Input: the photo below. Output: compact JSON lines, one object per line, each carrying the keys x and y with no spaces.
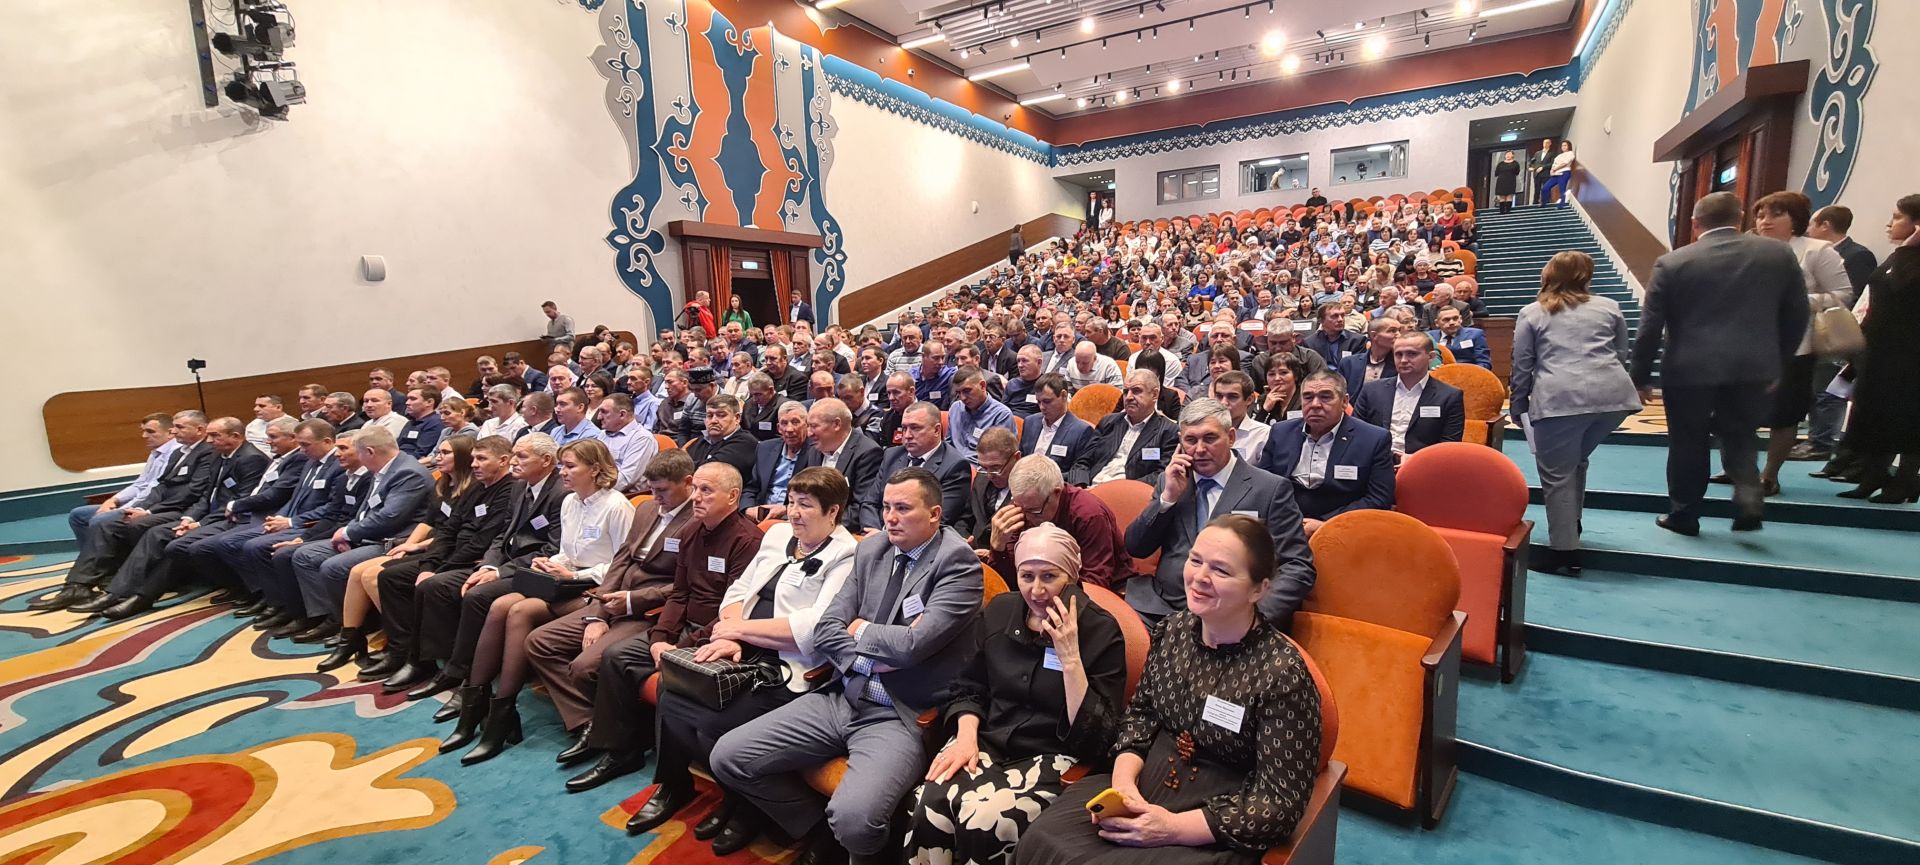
{"x":769,"y":613}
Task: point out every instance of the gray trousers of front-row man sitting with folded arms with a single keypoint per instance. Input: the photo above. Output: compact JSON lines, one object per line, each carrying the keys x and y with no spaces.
{"x":763,"y":760}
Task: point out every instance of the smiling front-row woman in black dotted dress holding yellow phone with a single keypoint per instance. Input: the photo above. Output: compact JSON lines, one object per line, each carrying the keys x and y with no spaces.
{"x":1220,"y":749}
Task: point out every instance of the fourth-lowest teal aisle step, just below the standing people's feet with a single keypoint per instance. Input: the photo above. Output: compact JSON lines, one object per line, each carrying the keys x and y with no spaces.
{"x":1861,"y":563}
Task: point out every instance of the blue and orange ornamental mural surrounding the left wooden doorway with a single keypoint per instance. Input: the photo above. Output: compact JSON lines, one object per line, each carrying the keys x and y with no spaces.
{"x":725,"y":126}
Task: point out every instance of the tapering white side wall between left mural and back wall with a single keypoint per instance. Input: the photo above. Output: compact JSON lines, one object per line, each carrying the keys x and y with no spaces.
{"x":905,"y":193}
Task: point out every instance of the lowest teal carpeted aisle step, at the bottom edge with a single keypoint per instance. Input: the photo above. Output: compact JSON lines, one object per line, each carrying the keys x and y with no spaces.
{"x":1493,"y":824}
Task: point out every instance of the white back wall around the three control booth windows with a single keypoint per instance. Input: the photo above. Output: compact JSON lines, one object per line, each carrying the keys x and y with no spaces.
{"x":1437,"y":158}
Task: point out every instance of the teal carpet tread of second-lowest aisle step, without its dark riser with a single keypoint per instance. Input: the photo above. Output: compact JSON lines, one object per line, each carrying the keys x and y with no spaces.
{"x":1808,"y":757}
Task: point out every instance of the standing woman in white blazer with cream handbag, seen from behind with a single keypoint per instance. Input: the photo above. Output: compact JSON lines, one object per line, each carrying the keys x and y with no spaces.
{"x":1785,"y":218}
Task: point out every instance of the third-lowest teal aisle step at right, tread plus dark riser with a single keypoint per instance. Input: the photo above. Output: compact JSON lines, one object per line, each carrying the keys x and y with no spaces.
{"x":1854,"y":649}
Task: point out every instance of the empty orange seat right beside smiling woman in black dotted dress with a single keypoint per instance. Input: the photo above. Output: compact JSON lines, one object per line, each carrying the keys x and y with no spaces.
{"x":1383,"y":626}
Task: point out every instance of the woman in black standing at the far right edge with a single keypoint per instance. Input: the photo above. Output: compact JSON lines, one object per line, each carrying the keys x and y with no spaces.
{"x":1886,"y":394}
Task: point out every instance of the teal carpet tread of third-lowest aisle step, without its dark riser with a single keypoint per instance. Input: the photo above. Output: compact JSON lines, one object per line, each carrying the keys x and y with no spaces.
{"x":1829,"y":630}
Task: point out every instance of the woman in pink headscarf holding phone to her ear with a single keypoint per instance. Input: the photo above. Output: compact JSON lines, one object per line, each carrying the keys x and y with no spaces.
{"x":1042,"y":697}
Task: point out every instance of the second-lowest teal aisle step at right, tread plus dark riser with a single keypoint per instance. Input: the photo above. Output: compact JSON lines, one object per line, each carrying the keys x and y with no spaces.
{"x":1794,"y":772}
